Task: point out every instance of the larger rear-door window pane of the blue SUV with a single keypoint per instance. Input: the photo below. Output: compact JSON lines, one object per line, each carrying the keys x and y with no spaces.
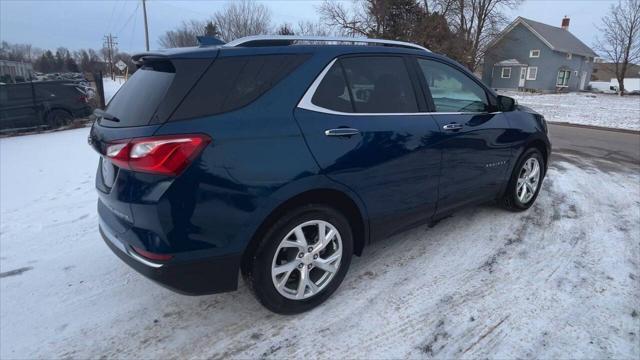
{"x":380,"y":84}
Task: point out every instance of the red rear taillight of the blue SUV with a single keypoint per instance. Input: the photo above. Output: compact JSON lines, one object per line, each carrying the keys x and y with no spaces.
{"x":167,"y":155}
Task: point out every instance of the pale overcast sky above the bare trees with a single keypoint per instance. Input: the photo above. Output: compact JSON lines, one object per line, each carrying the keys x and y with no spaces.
{"x":82,"y":24}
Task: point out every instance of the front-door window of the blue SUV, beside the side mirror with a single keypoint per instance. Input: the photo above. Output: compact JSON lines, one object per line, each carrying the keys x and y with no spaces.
{"x":451,"y":89}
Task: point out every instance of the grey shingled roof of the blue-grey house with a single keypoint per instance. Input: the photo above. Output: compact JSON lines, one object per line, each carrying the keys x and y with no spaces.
{"x":554,"y":37}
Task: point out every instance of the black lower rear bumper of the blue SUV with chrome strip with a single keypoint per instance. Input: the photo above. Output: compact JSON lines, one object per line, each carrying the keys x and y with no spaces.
{"x":199,"y":277}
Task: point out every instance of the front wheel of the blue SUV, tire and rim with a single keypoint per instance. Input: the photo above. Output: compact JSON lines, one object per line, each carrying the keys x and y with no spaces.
{"x":513,"y":198}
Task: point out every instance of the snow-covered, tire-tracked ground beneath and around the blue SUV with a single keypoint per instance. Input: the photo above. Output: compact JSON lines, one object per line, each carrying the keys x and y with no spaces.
{"x":558,"y":281}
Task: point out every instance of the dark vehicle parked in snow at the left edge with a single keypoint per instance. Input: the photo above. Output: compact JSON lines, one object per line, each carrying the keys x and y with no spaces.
{"x":40,"y":104}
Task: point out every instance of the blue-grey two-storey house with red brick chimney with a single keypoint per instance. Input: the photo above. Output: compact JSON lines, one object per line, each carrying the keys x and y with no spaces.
{"x":530,"y":55}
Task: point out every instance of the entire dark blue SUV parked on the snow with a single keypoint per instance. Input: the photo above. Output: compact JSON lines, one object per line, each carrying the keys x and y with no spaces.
{"x":280,"y":160}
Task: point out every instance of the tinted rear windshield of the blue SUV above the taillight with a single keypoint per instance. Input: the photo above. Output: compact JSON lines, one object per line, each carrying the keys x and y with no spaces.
{"x":138,"y":98}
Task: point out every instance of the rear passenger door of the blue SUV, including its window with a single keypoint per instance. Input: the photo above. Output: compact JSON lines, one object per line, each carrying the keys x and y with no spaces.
{"x":368,"y":130}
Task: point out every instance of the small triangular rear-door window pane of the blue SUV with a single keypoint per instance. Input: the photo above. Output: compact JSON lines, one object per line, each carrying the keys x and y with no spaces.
{"x":332,"y":93}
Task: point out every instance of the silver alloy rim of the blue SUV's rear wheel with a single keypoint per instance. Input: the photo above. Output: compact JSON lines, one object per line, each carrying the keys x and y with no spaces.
{"x":306,"y":260}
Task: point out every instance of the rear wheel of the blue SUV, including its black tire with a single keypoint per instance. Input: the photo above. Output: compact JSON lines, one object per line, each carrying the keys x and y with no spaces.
{"x":272,"y":252}
